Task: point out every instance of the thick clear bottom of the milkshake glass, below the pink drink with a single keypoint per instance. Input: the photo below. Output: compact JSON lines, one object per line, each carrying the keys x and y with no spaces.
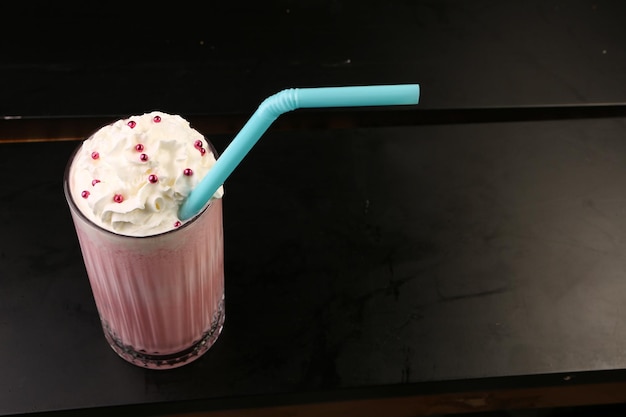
{"x":173,"y":360}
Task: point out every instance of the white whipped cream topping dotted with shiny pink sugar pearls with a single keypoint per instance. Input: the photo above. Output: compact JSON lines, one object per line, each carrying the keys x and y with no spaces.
{"x":131,"y":176}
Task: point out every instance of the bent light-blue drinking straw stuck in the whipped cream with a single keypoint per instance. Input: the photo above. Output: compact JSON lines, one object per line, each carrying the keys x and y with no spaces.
{"x":282,"y":102}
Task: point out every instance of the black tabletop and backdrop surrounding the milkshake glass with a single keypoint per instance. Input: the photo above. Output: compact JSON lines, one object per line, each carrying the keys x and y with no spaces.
{"x":466,"y":254}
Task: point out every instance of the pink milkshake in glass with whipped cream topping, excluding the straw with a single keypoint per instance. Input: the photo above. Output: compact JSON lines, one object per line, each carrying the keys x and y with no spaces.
{"x":160,"y":295}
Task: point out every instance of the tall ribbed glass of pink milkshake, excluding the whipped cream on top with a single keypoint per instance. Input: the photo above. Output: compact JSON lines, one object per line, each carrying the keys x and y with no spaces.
{"x":160,"y":298}
